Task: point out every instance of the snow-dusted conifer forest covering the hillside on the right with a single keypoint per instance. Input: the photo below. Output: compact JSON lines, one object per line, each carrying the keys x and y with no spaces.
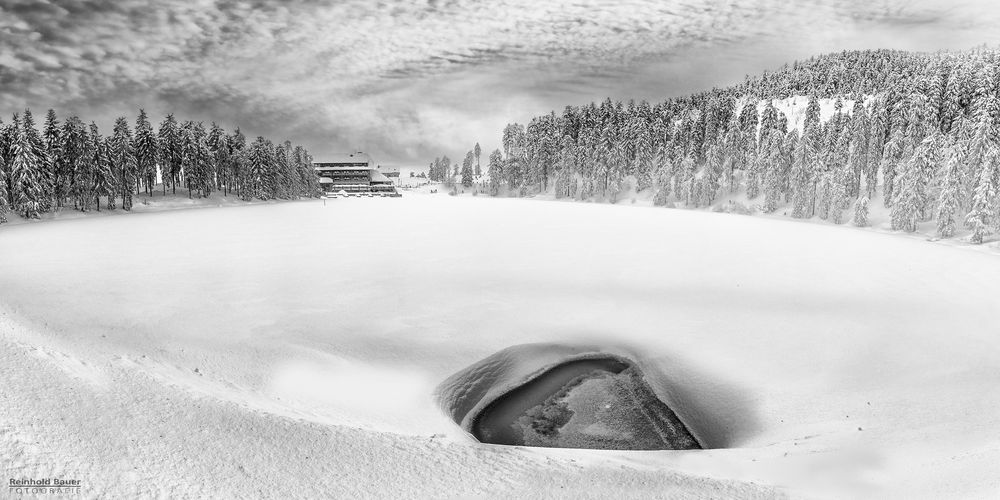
{"x":916,"y":133}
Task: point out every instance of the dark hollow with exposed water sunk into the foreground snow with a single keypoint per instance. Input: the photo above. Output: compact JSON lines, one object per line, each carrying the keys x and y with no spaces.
{"x":559,"y":396}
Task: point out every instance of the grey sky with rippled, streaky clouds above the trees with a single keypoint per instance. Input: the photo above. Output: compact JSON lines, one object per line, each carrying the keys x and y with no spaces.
{"x":408,"y":80}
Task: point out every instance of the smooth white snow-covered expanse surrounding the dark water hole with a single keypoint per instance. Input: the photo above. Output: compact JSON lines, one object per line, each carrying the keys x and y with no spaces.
{"x":293,"y":350}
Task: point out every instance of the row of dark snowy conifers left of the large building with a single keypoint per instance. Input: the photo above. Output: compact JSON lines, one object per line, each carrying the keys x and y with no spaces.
{"x":73,"y":164}
